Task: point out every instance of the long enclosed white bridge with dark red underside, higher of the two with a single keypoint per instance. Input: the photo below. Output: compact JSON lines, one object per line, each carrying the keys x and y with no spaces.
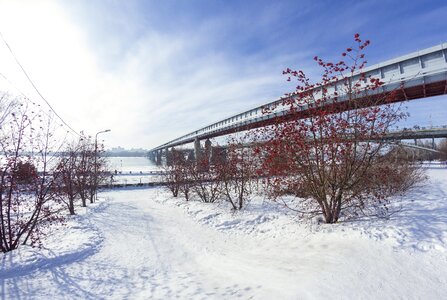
{"x":413,"y":76}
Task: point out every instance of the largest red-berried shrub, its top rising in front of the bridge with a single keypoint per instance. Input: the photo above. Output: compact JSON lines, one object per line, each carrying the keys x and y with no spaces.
{"x":330,"y":151}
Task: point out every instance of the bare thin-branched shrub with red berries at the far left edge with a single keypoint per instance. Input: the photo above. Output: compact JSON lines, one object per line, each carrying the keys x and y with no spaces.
{"x":27,"y":197}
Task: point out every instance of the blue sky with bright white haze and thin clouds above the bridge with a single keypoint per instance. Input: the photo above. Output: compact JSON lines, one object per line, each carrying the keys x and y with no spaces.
{"x":154,"y":70}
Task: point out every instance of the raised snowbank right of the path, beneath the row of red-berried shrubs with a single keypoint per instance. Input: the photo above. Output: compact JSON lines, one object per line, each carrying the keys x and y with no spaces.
{"x":419,"y":223}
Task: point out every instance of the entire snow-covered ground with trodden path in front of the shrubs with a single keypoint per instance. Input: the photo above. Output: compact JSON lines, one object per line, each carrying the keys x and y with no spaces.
{"x":142,"y":244}
